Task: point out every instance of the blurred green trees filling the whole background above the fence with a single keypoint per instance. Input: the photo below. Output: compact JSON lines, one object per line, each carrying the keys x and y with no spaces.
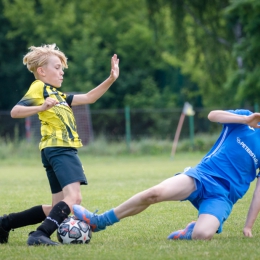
{"x":188,"y":50}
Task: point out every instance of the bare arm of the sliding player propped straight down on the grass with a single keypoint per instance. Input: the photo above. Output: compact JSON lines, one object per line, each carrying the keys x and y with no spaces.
{"x":253,"y":211}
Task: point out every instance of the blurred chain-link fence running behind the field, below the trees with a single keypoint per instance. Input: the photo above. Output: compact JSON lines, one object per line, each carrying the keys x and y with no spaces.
{"x":111,"y":123}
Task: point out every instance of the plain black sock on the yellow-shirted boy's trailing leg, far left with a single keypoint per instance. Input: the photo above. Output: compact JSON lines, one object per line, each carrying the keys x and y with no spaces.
{"x":27,"y":217}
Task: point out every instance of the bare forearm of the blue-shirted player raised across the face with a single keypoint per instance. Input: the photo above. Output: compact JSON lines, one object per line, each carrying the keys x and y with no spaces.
{"x":222,"y":116}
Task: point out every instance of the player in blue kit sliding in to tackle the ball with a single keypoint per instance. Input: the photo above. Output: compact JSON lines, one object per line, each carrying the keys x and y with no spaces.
{"x":213,"y":186}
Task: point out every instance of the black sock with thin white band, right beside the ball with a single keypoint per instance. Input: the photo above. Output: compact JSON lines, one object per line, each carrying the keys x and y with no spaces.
{"x":58,"y":213}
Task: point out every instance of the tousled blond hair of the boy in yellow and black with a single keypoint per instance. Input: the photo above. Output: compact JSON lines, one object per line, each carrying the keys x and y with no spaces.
{"x":38,"y":56}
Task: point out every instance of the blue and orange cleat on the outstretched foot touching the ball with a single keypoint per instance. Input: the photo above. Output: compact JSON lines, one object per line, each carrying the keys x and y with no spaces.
{"x":91,"y":218}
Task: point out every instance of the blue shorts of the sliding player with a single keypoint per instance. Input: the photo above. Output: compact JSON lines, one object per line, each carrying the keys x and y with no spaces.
{"x":211,"y":196}
